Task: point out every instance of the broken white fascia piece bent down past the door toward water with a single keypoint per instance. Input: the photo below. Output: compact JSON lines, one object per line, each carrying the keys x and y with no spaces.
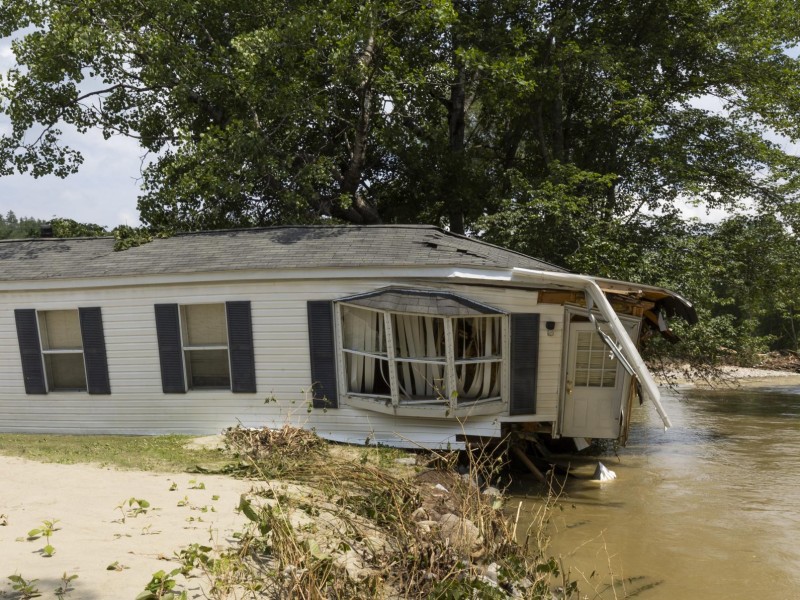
{"x":629,"y":350}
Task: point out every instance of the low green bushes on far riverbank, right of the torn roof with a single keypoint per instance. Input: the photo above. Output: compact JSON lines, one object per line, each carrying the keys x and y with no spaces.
{"x":742,"y":274}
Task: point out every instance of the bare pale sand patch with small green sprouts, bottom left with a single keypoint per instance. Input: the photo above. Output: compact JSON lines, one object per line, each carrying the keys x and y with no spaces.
{"x":91,"y":534}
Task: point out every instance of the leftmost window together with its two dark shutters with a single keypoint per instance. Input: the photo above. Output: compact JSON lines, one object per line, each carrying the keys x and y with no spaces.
{"x":62,"y":350}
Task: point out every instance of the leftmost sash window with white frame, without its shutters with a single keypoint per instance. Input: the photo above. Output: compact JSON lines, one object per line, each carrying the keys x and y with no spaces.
{"x":62,"y":350}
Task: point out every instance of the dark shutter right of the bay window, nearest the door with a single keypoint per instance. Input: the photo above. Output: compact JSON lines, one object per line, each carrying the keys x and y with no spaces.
{"x":524,"y":363}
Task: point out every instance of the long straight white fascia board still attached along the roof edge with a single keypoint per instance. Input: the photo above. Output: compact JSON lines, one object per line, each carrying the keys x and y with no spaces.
{"x":331,"y":273}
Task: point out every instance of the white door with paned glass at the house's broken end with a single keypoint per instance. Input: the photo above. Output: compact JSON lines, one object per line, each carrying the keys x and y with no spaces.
{"x":594,"y":385}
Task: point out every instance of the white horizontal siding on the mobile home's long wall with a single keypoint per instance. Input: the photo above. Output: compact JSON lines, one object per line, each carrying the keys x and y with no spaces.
{"x":138,"y":405}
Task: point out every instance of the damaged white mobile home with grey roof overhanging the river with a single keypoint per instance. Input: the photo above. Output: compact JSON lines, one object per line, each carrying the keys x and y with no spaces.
{"x":401,"y":335}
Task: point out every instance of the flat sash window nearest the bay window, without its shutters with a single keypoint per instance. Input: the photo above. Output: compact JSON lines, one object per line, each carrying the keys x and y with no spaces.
{"x":204,"y":334}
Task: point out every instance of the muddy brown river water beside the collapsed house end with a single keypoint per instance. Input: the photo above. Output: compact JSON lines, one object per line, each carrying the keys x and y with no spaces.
{"x":709,"y":509}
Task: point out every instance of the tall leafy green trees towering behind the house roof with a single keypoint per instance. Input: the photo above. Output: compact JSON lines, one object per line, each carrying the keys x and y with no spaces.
{"x":541,"y":125}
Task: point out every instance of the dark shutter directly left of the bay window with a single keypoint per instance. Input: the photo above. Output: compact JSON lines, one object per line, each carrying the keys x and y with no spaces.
{"x":322,"y":347}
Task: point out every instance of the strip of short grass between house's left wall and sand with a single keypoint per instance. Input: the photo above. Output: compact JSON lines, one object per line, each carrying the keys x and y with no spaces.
{"x":167,"y":453}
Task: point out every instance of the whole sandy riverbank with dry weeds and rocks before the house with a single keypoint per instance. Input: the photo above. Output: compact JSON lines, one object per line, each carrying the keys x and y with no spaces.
{"x":302,"y":518}
